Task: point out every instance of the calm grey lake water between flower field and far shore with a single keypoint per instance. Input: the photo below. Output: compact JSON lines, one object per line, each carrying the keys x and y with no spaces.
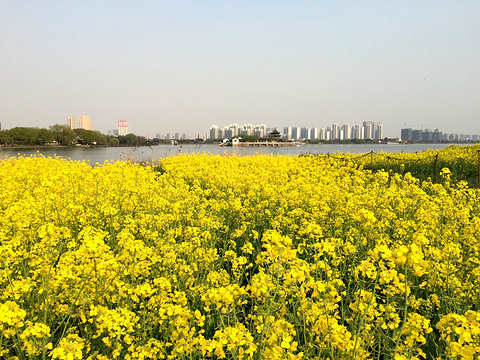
{"x":101,"y":154}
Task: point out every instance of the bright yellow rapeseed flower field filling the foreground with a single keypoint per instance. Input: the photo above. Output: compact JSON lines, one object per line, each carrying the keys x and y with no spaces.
{"x":226,"y":257}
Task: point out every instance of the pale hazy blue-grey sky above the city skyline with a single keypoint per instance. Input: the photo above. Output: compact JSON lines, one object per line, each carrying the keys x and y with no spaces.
{"x":181,"y":66}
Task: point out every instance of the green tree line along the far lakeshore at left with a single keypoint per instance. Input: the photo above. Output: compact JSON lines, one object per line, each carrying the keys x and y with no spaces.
{"x":63,"y":135}
